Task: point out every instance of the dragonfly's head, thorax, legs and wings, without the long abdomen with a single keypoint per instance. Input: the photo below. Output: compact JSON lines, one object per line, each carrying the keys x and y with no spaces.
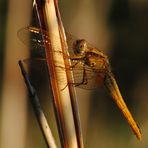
{"x":87,"y":64}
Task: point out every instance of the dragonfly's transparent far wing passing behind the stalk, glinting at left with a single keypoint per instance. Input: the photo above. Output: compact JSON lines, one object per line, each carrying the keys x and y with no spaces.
{"x":33,"y":37}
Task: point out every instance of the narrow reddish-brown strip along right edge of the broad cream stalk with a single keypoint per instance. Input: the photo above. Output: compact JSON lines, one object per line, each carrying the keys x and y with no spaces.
{"x":71,"y":88}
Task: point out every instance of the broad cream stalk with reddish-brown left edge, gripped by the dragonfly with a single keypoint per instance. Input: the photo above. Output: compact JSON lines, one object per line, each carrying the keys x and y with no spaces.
{"x":64,"y":114}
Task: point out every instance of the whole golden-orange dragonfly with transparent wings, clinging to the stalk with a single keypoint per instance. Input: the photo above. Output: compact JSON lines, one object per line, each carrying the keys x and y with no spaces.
{"x":90,"y":66}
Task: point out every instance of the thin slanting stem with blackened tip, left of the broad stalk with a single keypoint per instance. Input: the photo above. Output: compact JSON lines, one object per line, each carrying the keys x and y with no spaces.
{"x":38,"y":110}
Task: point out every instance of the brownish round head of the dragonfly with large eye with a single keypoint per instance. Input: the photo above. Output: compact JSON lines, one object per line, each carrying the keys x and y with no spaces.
{"x":80,"y":47}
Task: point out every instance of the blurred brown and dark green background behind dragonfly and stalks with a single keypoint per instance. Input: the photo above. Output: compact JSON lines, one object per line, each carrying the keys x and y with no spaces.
{"x":119,"y":28}
